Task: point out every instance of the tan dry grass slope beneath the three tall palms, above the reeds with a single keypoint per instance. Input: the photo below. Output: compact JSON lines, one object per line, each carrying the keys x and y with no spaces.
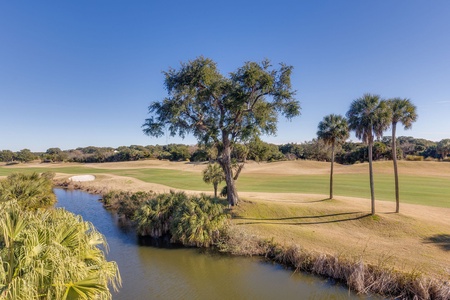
{"x":343,"y":227}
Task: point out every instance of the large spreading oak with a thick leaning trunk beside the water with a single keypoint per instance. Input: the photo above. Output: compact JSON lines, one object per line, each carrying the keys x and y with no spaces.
{"x":223,"y":110}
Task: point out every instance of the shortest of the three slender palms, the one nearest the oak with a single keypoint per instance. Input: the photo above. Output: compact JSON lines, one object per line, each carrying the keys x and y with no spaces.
{"x":333,"y":130}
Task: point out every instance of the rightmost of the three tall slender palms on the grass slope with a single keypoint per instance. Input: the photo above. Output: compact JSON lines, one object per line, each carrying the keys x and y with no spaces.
{"x":403,"y":111}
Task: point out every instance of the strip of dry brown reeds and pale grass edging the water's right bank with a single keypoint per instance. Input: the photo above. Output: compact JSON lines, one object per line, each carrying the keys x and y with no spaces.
{"x":355,"y":273}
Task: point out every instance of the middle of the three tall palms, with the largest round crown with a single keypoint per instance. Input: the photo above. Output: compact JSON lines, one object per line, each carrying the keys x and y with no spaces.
{"x":368,"y":116}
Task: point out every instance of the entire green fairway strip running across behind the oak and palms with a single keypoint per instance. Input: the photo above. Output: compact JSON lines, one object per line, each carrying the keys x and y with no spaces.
{"x":426,"y":190}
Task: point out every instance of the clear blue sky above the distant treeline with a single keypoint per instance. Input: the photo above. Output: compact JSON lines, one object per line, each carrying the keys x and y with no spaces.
{"x":80,"y":73}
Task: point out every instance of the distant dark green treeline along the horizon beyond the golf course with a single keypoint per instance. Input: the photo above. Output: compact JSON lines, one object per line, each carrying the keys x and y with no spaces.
{"x":349,"y":153}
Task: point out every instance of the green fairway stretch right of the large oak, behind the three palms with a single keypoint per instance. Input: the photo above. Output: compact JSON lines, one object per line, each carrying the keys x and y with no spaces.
{"x":413,"y":189}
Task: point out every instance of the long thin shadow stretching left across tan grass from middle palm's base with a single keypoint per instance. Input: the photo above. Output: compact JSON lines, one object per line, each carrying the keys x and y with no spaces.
{"x":314,"y":219}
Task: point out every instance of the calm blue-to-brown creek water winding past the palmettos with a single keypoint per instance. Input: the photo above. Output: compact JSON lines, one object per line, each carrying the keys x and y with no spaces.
{"x":179,"y":273}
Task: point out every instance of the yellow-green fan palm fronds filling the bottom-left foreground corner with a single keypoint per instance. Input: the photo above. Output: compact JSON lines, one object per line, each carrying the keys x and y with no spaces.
{"x":52,"y":254}
